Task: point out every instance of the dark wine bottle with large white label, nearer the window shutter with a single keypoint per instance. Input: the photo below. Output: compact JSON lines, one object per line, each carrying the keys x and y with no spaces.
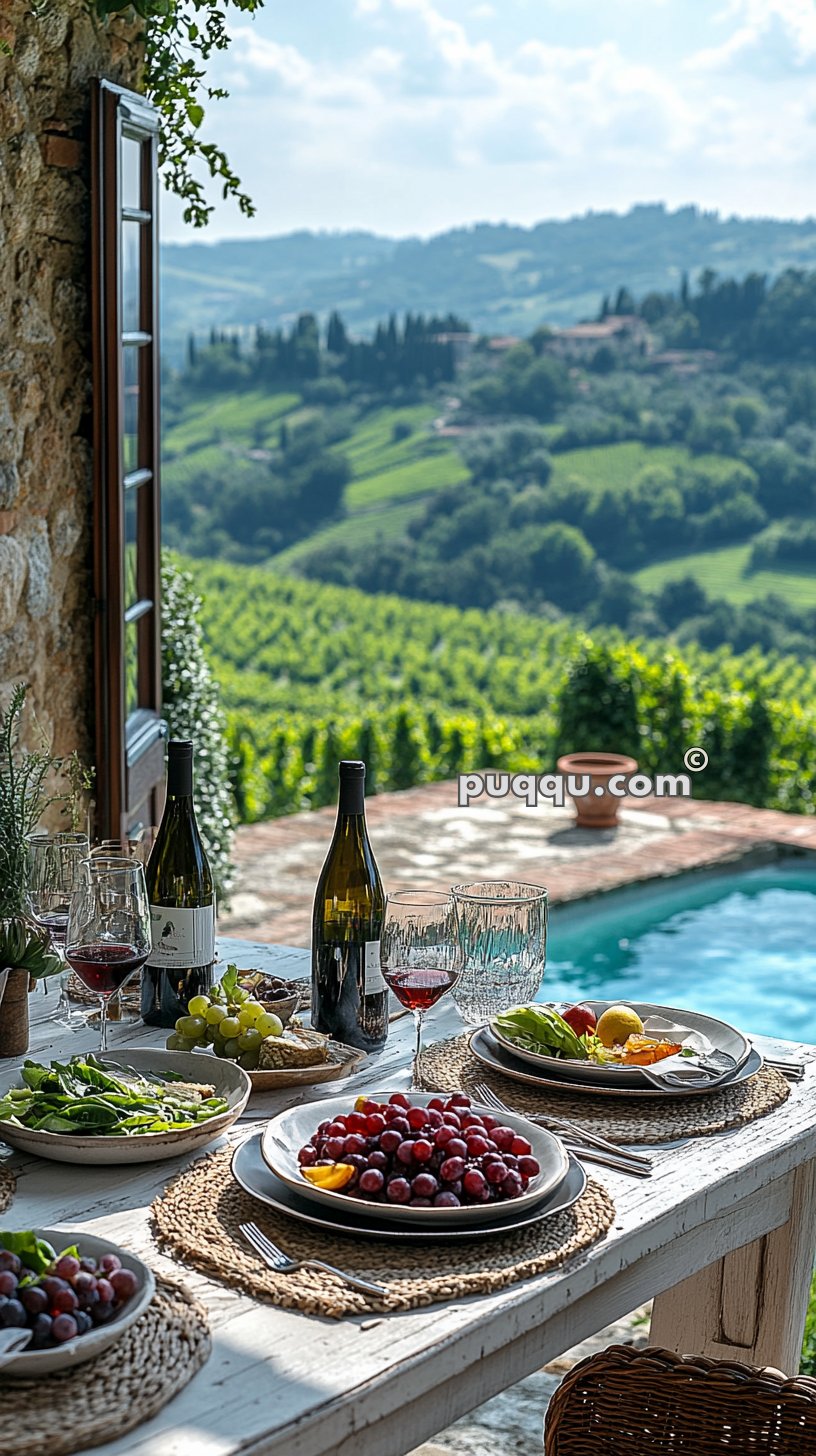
{"x":183,"y":906}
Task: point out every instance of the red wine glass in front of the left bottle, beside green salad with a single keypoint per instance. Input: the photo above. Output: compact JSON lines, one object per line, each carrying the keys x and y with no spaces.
{"x":109,"y":935}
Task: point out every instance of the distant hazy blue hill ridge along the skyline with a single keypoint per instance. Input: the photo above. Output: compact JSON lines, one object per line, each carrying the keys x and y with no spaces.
{"x":501,"y":277}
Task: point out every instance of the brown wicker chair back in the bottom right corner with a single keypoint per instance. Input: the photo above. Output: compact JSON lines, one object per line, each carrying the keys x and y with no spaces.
{"x":652,"y":1403}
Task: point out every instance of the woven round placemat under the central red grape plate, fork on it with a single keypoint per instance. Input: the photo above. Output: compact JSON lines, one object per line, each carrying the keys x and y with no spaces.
{"x":199,"y":1216}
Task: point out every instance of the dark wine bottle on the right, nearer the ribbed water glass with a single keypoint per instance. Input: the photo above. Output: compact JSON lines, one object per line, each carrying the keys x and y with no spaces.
{"x":349,"y":992}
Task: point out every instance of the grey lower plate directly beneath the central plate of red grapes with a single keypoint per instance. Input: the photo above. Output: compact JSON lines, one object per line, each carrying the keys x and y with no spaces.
{"x":250,"y":1170}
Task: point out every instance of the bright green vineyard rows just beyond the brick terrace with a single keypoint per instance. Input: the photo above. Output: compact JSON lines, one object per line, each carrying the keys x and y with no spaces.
{"x":313,"y":673}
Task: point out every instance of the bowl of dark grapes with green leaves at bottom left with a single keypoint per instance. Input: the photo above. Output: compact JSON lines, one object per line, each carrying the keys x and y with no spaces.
{"x":74,"y":1292}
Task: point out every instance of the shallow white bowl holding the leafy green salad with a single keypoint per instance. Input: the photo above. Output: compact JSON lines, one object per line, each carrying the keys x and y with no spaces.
{"x":225,"y":1077}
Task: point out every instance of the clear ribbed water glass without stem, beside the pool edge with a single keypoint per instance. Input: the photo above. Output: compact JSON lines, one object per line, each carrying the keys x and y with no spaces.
{"x":502,"y":933}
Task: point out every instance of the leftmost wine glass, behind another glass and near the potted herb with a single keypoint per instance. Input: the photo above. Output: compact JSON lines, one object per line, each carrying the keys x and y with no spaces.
{"x":53,"y":869}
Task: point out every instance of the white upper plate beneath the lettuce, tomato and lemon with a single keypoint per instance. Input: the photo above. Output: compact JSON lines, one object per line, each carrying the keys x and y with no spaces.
{"x":719,"y":1033}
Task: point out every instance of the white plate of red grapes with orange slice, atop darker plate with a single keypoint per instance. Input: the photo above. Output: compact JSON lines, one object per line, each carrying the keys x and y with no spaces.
{"x":415,"y":1158}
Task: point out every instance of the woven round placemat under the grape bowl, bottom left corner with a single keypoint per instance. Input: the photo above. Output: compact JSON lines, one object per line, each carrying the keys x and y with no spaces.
{"x":95,"y":1403}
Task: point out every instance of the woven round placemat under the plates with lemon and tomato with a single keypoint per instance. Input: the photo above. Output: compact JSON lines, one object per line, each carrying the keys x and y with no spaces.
{"x":450,"y":1067}
